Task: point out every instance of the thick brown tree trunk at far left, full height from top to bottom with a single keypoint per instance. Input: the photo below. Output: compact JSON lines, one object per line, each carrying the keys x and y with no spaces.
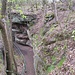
{"x":6,"y":40}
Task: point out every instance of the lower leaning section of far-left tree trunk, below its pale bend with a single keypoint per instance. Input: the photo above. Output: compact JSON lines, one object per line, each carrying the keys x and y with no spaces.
{"x":5,"y":36}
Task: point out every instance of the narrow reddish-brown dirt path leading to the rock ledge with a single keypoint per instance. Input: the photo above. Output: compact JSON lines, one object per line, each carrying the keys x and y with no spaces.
{"x":28,"y":53}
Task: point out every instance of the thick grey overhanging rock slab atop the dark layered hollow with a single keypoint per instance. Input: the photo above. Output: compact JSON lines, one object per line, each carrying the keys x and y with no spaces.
{"x":23,"y":18}
